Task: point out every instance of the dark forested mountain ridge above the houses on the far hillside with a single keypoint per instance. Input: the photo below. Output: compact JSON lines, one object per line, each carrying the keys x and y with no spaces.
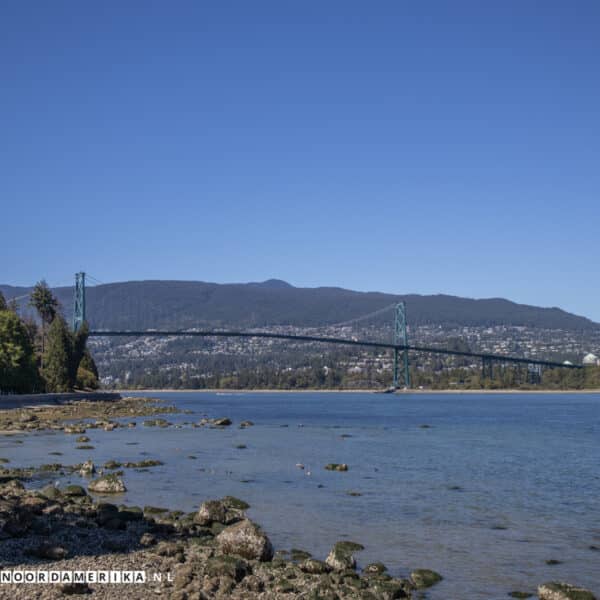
{"x":187,"y":304}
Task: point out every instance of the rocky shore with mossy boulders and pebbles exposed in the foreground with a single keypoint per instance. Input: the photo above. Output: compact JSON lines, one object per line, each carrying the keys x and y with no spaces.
{"x":212,"y":552}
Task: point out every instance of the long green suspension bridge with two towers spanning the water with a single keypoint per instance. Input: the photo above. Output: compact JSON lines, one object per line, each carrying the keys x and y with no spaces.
{"x":400,"y":346}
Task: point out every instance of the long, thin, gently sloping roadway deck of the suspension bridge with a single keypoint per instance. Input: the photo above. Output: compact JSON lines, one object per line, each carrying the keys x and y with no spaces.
{"x":339,"y":341}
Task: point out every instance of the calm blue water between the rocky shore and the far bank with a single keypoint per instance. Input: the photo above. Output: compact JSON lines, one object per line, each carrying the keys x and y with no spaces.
{"x":497,"y":485}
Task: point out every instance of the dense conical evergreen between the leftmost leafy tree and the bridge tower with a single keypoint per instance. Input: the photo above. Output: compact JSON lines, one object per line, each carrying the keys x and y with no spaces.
{"x":58,"y":358}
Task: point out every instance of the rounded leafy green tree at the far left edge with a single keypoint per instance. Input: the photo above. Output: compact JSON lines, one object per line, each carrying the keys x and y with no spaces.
{"x":18,"y":370}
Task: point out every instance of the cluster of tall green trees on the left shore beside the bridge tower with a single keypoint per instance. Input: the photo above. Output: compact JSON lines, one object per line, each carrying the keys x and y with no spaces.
{"x":47,"y":357}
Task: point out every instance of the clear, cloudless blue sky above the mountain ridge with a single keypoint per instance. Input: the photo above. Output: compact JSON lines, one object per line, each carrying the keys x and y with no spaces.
{"x":422,"y":147}
